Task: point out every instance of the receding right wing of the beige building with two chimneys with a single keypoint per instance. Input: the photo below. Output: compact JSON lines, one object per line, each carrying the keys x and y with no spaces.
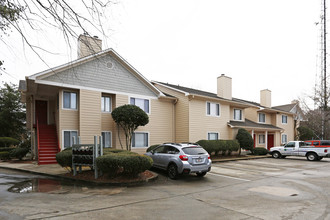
{"x":203,"y":115}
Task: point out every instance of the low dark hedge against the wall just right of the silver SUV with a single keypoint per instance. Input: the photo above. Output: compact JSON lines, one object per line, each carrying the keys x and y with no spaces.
{"x":216,"y":146}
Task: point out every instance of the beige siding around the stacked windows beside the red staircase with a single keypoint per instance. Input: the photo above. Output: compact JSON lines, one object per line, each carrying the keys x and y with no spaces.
{"x":68,"y":118}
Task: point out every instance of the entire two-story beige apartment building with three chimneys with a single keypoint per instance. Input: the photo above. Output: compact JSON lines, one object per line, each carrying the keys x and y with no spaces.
{"x":76,"y":99}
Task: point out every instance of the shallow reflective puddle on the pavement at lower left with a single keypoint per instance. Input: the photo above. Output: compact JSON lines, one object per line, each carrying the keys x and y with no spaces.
{"x":52,"y":186}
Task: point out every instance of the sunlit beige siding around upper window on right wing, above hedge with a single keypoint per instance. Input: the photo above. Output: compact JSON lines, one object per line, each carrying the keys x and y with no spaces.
{"x":201,"y":123}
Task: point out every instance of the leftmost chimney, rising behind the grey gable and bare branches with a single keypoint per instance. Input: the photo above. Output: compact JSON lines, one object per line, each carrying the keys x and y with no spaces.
{"x":88,"y":45}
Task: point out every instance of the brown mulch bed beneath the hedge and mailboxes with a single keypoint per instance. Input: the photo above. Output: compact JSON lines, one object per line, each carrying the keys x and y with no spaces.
{"x":88,"y":175}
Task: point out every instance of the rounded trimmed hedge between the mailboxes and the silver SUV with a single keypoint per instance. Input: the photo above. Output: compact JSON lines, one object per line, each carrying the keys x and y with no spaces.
{"x":123,"y":164}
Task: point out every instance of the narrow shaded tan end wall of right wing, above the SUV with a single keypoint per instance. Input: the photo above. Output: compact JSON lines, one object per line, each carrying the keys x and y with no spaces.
{"x":181,"y":114}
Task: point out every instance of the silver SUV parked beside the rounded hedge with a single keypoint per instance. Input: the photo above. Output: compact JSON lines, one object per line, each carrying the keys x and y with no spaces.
{"x":182,"y":158}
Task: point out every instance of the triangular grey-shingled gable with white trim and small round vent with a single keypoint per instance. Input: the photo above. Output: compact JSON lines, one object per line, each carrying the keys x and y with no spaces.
{"x":105,"y":71}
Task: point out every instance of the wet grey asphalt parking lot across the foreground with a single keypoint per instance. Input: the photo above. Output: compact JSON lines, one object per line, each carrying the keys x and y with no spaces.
{"x":291,"y":188}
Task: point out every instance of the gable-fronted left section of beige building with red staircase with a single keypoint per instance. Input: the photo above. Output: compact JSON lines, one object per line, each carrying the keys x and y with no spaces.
{"x":76,"y":99}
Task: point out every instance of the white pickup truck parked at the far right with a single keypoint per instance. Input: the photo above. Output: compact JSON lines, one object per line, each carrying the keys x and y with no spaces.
{"x":300,"y":148}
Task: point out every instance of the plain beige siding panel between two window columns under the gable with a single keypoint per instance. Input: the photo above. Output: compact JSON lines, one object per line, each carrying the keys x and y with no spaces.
{"x":89,"y":115}
